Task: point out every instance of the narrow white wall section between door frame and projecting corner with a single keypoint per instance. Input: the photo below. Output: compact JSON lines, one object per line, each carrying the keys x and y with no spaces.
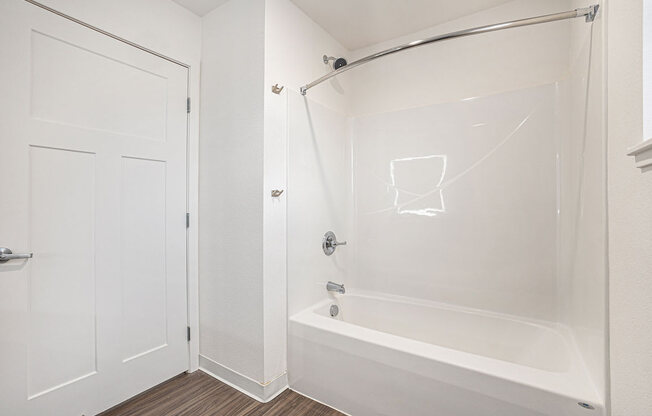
{"x":231,"y":189}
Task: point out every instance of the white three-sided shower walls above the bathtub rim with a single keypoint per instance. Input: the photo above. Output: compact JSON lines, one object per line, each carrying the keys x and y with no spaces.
{"x":476,"y":175}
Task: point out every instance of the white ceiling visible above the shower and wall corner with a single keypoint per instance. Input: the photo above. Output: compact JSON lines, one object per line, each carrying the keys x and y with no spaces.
{"x":359,"y":23}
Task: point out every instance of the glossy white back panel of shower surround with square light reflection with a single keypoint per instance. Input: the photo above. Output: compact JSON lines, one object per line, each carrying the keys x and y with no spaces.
{"x":457,"y":202}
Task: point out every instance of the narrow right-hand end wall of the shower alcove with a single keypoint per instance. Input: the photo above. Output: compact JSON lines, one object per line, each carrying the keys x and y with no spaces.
{"x":583,"y":233}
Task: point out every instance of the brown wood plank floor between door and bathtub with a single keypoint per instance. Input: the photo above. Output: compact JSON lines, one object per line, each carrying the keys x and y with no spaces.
{"x":199,"y":394}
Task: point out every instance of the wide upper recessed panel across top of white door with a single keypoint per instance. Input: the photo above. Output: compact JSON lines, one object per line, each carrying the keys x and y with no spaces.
{"x":127,"y":99}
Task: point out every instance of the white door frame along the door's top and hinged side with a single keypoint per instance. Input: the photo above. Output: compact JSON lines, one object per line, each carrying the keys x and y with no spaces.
{"x":192,"y":181}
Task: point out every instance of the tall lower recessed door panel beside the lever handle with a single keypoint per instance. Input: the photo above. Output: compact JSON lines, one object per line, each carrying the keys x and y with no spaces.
{"x":62,"y":342}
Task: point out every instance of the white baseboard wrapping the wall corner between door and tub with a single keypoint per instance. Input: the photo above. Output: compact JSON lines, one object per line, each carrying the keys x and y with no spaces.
{"x":252,"y":388}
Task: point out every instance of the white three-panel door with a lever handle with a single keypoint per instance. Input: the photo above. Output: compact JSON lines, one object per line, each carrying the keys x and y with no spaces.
{"x":93,"y":182}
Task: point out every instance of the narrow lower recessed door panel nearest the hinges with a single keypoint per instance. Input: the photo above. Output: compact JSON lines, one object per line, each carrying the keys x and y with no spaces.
{"x":144,"y":279}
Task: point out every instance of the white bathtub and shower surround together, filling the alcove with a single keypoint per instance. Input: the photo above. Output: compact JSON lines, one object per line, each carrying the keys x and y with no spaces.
{"x":474,"y":216}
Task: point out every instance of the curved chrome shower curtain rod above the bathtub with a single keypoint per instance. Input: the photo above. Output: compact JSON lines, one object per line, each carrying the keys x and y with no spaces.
{"x":589,"y":12}
